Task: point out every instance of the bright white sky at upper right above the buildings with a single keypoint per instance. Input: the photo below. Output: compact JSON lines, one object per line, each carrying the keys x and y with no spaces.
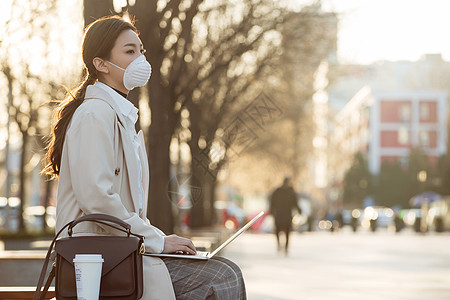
{"x":374,"y":30}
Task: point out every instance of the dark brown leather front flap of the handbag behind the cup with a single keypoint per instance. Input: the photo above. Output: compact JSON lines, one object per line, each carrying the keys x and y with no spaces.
{"x":114,"y":249}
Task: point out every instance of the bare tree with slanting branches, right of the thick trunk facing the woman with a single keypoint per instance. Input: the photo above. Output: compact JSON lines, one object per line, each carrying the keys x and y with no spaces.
{"x":237,"y":53}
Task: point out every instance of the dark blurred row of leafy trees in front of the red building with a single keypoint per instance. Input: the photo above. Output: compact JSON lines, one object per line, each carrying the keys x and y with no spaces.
{"x":396,"y":183}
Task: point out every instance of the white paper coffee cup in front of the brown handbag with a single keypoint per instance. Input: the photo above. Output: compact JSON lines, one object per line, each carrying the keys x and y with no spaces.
{"x":88,"y":271}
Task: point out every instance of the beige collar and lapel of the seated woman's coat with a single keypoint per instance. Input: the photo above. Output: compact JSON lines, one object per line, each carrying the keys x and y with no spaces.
{"x":131,"y":163}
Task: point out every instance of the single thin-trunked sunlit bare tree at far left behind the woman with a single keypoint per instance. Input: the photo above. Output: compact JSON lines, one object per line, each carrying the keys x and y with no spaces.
{"x":29,"y":87}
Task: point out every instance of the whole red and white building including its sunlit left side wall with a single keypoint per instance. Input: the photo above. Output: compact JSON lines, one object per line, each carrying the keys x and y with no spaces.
{"x":387,"y":125}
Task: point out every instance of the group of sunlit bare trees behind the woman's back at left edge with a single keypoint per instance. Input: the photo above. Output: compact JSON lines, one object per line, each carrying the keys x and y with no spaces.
{"x":31,"y":78}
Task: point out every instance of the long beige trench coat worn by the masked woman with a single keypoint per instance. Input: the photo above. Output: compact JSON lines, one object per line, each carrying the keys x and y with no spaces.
{"x":98,"y":174}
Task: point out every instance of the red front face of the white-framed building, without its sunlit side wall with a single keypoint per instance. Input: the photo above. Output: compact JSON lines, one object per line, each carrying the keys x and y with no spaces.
{"x":402,"y":120}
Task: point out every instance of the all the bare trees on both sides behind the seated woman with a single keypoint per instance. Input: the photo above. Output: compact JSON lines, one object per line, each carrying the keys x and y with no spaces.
{"x":222,"y":72}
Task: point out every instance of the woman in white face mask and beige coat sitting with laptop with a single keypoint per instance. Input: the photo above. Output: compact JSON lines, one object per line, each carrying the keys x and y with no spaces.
{"x":102,"y":165}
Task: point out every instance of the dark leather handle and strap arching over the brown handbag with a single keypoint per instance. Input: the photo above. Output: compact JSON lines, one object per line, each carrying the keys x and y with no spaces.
{"x":98,"y":218}
